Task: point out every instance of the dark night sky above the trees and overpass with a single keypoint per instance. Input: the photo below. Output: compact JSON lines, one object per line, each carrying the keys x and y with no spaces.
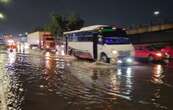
{"x":23,"y":15}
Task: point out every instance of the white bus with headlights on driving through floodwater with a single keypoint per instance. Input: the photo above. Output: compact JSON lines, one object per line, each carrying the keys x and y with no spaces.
{"x":100,"y":42}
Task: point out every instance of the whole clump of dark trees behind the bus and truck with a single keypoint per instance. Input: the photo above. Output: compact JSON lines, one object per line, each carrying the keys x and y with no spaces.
{"x":60,"y":24}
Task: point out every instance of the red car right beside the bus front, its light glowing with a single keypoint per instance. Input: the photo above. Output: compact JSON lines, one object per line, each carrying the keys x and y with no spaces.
{"x":150,"y":53}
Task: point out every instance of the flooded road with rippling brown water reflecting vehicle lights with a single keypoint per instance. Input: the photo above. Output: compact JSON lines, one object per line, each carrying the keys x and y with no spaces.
{"x":42,"y":81}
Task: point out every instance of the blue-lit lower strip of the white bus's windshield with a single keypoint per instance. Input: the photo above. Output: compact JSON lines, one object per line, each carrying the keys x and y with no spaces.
{"x":116,"y":40}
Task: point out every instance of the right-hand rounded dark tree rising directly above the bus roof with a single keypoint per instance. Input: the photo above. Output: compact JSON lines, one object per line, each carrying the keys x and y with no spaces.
{"x":74,"y":22}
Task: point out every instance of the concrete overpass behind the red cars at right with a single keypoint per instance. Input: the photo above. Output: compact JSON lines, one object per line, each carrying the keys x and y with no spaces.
{"x":151,"y":34}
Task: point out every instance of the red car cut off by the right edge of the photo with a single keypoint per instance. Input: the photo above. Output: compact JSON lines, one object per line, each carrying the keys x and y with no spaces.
{"x":168,"y":50}
